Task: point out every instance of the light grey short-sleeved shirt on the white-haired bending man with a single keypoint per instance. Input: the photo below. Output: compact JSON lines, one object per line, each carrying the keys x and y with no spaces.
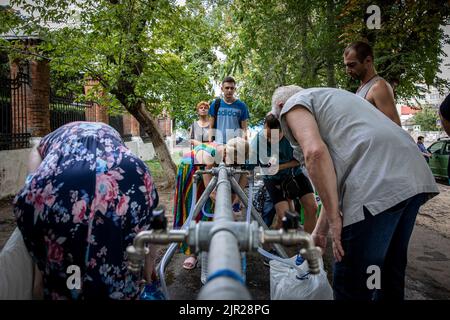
{"x":377,"y":163}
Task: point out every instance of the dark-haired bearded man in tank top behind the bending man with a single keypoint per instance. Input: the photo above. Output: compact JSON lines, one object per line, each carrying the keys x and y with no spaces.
{"x":358,"y":60}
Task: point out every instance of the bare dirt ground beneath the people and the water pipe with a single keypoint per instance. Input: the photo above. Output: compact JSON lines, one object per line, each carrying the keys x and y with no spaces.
{"x":428,"y":272}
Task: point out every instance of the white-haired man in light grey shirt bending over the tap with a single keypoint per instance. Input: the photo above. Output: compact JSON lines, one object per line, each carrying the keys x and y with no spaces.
{"x":371,"y":180}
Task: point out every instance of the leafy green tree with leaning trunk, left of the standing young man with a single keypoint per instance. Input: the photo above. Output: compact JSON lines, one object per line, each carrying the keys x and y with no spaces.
{"x":148,"y":56}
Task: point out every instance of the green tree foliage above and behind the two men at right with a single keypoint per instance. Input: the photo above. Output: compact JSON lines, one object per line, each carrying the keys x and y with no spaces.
{"x":273,"y":43}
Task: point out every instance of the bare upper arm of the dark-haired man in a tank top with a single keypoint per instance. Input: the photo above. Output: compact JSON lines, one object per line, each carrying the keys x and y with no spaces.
{"x":382,"y":96}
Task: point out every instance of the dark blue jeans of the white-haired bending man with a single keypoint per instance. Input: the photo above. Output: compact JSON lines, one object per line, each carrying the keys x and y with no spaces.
{"x":380,"y":240}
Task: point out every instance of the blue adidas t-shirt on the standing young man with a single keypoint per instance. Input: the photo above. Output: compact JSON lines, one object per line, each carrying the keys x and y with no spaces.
{"x":229,"y":118}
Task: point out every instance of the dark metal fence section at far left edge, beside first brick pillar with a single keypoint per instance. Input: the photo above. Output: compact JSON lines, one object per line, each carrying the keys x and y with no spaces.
{"x":13,"y":112}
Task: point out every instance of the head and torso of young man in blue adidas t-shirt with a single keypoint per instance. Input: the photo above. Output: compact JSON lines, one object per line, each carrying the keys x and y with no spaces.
{"x":232,"y":115}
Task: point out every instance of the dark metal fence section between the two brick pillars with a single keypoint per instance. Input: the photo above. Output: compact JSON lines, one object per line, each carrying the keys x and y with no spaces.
{"x":64,"y":110}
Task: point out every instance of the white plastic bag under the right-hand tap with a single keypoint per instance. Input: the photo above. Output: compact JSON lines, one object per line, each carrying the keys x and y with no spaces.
{"x":291,"y":282}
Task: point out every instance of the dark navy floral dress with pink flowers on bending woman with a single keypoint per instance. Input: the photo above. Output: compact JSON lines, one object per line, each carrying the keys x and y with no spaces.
{"x":82,"y":208}
